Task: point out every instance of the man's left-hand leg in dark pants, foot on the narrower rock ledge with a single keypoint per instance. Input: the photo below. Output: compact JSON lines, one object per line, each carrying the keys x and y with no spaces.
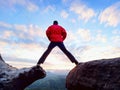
{"x":46,"y":53}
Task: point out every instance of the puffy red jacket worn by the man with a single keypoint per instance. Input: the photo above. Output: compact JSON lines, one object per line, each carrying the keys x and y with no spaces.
{"x":56,"y":33}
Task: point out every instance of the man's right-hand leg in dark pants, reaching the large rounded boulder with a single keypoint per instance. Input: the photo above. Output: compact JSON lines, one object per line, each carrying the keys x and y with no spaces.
{"x":69,"y":55}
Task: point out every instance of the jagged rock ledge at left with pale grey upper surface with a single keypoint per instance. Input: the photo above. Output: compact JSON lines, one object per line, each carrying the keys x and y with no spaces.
{"x":12,"y":78}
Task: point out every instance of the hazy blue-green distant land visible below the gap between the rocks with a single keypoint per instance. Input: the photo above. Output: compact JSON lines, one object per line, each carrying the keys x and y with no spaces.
{"x":52,"y":81}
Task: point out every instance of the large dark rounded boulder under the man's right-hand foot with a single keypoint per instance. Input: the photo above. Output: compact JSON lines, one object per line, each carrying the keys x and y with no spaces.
{"x":95,"y":75}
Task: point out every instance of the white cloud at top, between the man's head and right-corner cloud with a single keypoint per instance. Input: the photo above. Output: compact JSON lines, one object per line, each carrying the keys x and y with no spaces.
{"x":84,"y":12}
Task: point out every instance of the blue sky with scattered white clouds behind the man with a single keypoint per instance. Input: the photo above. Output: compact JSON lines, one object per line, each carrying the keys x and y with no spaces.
{"x":93,"y":31}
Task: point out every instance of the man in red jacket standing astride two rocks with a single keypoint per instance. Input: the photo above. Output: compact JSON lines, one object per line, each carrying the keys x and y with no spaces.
{"x":56,"y":34}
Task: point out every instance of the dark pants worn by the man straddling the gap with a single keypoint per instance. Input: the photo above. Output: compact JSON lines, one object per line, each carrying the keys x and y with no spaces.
{"x":62,"y":47}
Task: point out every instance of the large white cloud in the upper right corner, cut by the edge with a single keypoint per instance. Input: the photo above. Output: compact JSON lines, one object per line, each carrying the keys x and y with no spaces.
{"x":111,"y":15}
